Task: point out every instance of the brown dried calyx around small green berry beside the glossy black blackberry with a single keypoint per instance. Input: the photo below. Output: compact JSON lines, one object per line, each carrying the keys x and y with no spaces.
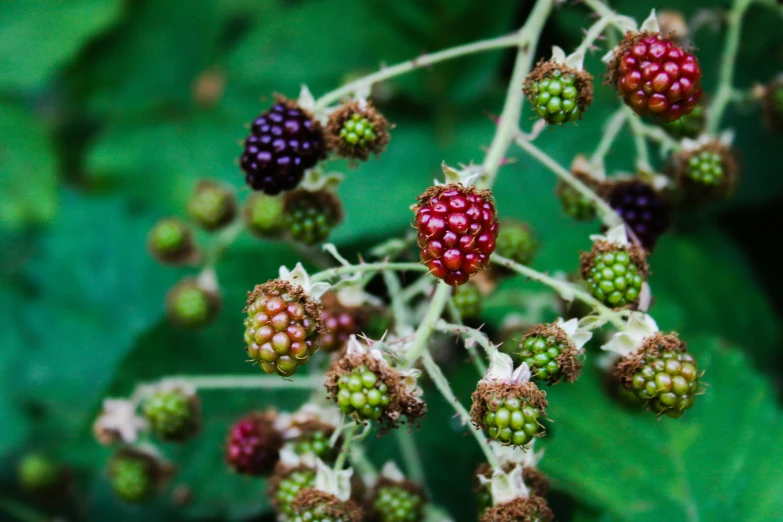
{"x":365,"y":112}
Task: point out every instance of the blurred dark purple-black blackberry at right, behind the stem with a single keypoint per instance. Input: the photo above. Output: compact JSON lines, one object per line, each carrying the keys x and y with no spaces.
{"x":644,"y":210}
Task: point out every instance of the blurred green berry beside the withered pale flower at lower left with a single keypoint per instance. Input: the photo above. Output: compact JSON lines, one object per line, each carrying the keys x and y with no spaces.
{"x":173,"y":415}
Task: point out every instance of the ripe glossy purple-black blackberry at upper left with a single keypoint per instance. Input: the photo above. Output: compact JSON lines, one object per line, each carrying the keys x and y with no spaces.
{"x":284,"y":141}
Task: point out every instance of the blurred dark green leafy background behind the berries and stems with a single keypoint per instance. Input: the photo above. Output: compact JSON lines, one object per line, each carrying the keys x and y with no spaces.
{"x":111,"y":110}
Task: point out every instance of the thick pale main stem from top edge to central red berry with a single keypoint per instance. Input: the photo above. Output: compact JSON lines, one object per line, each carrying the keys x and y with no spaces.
{"x":508,"y":126}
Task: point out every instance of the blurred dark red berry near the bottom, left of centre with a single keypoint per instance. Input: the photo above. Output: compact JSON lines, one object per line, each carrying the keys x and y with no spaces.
{"x":254,"y":444}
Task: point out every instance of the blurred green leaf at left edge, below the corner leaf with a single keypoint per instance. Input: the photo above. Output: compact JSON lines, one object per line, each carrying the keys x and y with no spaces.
{"x":29,"y":181}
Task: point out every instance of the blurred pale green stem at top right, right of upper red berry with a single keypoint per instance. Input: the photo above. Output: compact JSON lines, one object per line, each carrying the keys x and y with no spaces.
{"x":725,"y":89}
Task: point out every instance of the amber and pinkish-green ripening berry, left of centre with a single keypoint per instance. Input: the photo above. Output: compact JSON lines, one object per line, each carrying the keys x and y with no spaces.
{"x":281,"y":327}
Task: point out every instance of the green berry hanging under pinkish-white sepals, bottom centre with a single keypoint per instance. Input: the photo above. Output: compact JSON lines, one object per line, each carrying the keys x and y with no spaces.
{"x":509,"y":413}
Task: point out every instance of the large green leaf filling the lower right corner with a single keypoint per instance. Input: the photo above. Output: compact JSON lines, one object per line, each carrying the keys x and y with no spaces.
{"x":705,"y":466}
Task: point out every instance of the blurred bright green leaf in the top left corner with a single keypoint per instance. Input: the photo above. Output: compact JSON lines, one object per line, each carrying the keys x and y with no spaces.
{"x":39,"y":37}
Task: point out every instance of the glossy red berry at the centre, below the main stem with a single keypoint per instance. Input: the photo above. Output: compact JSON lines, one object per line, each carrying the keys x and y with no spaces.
{"x":458,"y":229}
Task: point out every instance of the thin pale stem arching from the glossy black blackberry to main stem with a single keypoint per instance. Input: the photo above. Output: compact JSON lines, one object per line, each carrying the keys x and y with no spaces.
{"x":424,"y":60}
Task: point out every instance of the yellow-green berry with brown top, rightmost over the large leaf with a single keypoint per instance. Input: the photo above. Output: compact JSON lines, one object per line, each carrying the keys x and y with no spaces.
{"x":662,"y":374}
